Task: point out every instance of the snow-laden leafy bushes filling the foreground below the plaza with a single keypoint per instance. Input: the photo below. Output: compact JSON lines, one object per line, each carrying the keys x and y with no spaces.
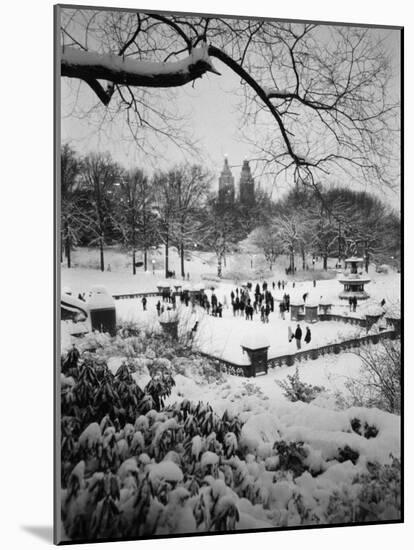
{"x":136,"y":465}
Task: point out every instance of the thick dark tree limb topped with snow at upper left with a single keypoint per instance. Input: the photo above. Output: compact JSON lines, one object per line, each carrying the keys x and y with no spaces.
{"x":87,"y":65}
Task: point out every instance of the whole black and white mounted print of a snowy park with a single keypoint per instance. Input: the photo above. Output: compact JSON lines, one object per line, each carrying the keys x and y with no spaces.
{"x":229,"y":265}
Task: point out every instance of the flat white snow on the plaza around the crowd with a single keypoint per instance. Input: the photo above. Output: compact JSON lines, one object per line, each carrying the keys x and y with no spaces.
{"x":222,"y":337}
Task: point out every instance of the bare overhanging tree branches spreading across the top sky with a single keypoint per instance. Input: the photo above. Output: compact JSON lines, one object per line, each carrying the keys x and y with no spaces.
{"x":324,"y":95}
